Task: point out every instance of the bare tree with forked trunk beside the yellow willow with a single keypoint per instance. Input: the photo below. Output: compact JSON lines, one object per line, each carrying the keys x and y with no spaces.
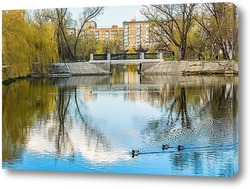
{"x":61,"y":18}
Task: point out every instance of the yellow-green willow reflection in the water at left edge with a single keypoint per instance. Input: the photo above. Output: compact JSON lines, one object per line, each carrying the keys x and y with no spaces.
{"x":24,"y":102}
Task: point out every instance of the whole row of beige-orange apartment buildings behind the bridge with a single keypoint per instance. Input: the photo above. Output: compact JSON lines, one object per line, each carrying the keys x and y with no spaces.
{"x":134,"y":34}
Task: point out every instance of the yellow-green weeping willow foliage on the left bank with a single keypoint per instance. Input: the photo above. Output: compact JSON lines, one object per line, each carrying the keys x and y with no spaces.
{"x":25,"y":43}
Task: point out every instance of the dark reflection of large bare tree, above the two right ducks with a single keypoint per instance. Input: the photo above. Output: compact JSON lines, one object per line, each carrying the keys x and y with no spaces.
{"x":174,"y":103}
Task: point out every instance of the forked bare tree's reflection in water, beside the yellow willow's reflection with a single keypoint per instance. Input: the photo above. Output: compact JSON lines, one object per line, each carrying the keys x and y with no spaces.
{"x":63,"y":143}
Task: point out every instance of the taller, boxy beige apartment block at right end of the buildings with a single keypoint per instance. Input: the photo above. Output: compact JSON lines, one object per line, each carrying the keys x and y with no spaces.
{"x":137,"y":35}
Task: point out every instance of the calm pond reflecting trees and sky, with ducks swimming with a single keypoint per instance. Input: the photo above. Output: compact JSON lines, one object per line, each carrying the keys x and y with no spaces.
{"x":91,"y":124}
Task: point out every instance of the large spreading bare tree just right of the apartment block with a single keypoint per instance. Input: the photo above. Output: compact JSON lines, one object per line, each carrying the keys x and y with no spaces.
{"x":171,"y":23}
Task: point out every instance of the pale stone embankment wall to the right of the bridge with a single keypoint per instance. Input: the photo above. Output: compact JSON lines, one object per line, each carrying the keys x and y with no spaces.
{"x":192,"y":68}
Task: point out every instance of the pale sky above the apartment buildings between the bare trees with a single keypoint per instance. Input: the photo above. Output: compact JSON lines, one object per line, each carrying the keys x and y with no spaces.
{"x":113,"y":15}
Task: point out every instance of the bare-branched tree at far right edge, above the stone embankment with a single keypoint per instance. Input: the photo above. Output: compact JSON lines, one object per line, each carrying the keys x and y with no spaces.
{"x":219,"y":22}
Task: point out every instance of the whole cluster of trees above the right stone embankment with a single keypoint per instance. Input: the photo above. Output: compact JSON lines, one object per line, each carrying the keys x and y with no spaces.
{"x":195,"y":31}
